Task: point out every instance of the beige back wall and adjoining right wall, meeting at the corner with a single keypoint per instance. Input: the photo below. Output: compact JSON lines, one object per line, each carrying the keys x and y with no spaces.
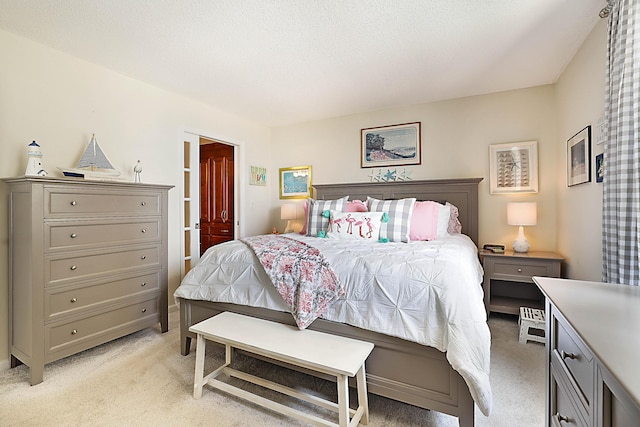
{"x":456,"y":135}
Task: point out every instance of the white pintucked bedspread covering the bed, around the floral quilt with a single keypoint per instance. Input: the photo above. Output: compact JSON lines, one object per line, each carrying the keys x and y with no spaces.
{"x":426,"y":292}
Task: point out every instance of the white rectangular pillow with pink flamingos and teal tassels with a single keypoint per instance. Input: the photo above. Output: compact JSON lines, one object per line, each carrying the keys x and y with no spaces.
{"x":355,"y":225}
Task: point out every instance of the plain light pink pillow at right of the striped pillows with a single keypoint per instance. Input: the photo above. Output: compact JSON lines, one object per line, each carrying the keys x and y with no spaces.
{"x":429,"y":221}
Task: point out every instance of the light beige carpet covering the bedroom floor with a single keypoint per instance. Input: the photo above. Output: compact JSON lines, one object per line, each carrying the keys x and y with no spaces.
{"x":143,"y":380}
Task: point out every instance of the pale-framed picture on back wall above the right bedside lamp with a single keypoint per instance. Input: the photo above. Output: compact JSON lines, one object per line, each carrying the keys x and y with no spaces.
{"x":514,"y":167}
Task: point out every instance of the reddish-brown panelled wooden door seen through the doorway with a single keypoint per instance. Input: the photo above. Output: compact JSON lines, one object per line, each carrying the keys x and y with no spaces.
{"x":216,"y":194}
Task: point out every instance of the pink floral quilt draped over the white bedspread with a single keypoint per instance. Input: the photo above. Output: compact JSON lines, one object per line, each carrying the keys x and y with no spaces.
{"x":300,"y":273}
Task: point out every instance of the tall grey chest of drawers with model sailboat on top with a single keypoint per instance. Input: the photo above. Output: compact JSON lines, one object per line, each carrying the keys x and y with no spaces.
{"x":88,"y":264}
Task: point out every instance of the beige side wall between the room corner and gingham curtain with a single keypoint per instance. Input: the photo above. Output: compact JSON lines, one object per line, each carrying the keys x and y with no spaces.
{"x":580,"y":101}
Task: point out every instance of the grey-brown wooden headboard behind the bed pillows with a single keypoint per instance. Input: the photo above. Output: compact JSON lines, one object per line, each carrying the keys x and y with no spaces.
{"x":461,"y":192}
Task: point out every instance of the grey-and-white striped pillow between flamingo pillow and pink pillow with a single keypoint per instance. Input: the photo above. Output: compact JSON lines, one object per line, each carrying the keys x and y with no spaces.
{"x":399,"y":211}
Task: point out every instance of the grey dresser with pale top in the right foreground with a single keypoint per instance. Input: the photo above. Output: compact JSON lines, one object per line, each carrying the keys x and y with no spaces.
{"x":593,"y":353}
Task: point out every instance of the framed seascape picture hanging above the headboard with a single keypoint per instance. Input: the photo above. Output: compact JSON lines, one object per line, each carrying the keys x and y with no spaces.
{"x":394,"y":145}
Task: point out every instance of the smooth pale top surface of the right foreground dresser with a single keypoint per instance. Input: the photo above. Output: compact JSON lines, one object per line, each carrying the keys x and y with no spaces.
{"x":607,"y":318}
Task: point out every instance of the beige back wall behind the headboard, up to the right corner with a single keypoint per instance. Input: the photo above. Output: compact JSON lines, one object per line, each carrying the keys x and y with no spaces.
{"x":456,"y":136}
